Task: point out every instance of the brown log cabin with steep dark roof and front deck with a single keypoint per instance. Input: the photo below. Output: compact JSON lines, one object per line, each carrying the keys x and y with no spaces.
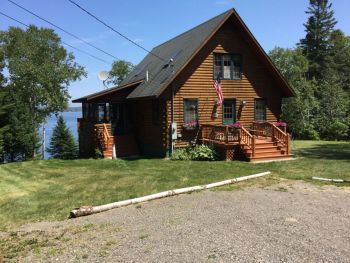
{"x":169,"y":101}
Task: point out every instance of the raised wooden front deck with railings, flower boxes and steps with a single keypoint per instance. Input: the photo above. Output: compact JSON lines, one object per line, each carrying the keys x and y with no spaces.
{"x":263,"y":141}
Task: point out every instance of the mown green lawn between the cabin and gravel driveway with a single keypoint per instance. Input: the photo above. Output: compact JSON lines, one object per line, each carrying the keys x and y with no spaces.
{"x":48,"y":190}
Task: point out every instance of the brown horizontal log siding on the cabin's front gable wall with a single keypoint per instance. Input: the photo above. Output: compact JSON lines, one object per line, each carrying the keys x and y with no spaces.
{"x":196,"y":81}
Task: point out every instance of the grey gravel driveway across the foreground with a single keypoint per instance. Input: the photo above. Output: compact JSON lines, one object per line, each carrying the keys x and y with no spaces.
{"x":291,"y":221}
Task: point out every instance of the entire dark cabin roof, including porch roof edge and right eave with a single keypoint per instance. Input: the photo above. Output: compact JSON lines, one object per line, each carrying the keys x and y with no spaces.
{"x":181,"y":49}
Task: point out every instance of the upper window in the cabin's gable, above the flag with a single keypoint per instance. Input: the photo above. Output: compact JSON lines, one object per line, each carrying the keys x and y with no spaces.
{"x":227,"y":66}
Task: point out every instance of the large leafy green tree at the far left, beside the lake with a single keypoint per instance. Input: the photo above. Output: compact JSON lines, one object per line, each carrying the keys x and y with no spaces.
{"x":40,"y":71}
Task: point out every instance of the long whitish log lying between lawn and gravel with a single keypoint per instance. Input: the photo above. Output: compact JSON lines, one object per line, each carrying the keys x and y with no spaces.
{"x":88,"y":210}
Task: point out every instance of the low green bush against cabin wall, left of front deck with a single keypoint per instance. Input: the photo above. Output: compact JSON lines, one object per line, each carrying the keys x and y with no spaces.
{"x":196,"y":153}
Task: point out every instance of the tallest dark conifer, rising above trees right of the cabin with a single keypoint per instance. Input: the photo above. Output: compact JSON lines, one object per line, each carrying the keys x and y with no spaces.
{"x":316,"y":44}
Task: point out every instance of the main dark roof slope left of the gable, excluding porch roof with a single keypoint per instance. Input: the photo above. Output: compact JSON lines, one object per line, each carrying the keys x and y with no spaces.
{"x":182,"y":48}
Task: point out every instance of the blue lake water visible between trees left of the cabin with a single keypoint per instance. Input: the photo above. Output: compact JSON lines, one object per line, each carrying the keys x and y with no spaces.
{"x":71,"y":121}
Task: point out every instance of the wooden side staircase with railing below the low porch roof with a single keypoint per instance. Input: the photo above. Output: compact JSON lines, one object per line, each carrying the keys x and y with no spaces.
{"x":125,"y":145}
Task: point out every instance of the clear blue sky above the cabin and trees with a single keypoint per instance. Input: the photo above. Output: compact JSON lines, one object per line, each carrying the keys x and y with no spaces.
{"x":149,"y":23}
